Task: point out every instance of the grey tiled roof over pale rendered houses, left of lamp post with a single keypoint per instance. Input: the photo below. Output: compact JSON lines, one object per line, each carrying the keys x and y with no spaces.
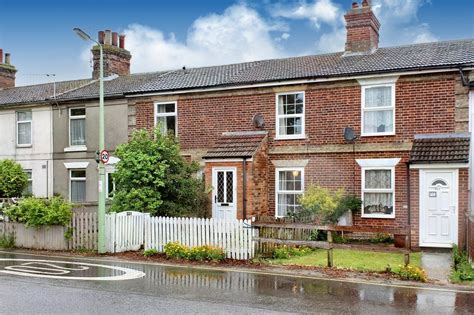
{"x":37,"y":93}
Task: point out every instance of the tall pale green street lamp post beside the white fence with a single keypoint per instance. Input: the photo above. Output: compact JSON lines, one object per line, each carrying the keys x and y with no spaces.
{"x":101,"y":210}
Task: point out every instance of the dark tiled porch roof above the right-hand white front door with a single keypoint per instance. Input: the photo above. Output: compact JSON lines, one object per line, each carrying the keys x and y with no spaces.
{"x":444,"y":148}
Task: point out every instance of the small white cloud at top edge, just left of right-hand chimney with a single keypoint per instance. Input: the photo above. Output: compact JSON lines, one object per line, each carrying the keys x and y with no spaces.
{"x":319,"y":11}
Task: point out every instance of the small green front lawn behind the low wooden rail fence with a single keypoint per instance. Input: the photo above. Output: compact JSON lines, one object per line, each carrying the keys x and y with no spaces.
{"x":353,"y":259}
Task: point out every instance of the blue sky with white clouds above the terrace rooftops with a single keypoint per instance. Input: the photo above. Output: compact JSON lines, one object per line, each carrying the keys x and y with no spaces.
{"x":163,"y":35}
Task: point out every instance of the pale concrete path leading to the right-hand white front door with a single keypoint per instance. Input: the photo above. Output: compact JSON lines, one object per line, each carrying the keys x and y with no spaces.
{"x":437,"y":265}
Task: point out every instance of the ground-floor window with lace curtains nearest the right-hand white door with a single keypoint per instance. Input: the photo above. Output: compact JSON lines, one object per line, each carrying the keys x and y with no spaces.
{"x":378,"y":192}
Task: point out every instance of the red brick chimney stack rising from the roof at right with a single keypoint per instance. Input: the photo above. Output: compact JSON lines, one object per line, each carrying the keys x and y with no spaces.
{"x":362,"y":28}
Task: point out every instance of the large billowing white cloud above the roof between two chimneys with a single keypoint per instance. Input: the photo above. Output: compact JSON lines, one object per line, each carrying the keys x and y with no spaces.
{"x":239,"y":34}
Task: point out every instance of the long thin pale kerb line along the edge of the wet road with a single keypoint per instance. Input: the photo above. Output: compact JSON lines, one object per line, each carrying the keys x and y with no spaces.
{"x":257,"y":272}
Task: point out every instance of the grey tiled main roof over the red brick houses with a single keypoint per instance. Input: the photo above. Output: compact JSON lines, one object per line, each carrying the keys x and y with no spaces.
{"x":419,"y":56}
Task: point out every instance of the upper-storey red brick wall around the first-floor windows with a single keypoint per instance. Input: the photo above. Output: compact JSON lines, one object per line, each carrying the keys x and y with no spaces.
{"x":424,"y":104}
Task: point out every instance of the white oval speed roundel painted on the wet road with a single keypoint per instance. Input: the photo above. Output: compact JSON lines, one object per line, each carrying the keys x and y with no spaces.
{"x":50,"y":269}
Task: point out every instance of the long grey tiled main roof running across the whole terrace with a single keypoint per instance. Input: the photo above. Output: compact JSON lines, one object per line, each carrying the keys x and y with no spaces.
{"x":392,"y":59}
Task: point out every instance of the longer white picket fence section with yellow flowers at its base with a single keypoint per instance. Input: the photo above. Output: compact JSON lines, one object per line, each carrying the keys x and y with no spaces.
{"x":234,"y":236}
